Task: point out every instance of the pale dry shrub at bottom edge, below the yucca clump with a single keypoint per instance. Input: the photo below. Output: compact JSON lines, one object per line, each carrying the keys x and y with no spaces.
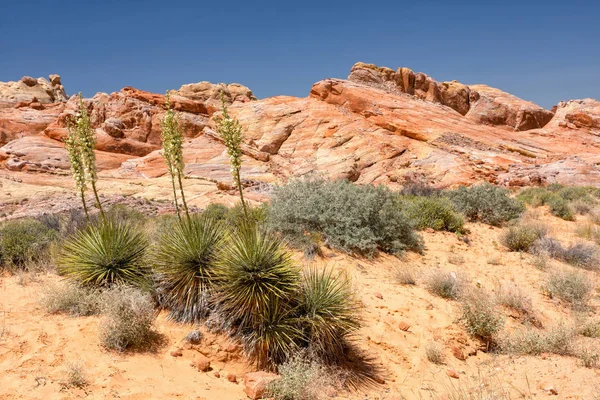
{"x":303,"y":379}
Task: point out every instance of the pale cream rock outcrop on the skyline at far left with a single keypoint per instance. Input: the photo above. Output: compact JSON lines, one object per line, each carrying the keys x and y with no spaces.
{"x":30,"y":90}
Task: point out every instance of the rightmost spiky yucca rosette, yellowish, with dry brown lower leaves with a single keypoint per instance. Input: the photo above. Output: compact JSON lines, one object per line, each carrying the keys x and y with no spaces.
{"x":328,"y":311}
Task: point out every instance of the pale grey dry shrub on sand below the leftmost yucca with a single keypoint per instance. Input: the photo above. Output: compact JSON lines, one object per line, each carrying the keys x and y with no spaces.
{"x":128,"y":320}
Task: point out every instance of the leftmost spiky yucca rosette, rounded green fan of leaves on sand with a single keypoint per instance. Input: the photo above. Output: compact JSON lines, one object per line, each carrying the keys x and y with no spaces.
{"x":104,"y":254}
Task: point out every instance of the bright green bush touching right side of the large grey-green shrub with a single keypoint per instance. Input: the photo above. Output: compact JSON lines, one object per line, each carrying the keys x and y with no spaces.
{"x":434,"y":212}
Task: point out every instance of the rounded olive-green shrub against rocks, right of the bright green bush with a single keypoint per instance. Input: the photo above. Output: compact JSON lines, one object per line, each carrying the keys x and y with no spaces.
{"x":486,"y":203}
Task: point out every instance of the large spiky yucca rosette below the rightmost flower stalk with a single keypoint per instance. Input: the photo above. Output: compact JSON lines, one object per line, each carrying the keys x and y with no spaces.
{"x":254,"y":271}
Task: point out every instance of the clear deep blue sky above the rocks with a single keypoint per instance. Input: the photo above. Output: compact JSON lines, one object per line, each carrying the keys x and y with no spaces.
{"x":543,"y":51}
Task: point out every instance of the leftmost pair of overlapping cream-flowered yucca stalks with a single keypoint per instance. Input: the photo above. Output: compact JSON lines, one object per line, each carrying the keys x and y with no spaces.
{"x":80,"y":145}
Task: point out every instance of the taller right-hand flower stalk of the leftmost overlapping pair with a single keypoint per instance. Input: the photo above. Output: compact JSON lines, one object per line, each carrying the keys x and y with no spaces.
{"x":84,"y":141}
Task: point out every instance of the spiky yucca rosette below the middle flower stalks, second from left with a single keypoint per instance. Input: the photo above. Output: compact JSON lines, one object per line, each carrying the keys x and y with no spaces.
{"x":185,"y":259}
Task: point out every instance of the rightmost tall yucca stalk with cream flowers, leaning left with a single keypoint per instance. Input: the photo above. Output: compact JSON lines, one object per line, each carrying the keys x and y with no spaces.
{"x":230,"y":130}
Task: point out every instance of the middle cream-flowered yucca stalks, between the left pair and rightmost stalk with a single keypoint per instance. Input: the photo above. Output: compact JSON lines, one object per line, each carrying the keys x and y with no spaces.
{"x":172,"y":139}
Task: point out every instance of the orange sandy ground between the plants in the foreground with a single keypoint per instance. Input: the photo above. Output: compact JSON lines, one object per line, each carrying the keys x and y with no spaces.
{"x":36,"y":348}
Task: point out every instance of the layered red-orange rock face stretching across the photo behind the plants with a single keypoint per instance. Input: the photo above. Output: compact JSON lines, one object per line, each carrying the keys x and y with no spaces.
{"x":379,"y":126}
